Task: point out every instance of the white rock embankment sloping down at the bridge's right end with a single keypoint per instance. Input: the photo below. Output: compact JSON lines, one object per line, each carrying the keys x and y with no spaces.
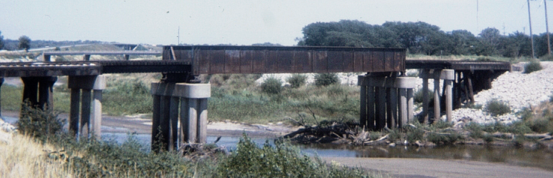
{"x":516,"y":89}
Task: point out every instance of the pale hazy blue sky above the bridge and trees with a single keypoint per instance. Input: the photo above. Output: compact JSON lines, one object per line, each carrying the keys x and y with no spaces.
{"x":245,"y":22}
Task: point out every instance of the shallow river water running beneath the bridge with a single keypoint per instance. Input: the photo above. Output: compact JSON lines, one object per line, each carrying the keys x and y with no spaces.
{"x":541,"y":158}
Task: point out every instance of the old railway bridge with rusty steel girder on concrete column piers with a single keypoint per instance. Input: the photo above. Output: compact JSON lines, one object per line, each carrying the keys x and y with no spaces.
{"x":386,"y":93}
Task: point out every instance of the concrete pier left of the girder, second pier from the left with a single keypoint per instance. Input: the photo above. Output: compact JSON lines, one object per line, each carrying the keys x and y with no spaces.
{"x":86,"y":94}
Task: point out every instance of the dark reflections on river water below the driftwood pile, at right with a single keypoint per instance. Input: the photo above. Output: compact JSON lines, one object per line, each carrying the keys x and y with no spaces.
{"x":542,"y":158}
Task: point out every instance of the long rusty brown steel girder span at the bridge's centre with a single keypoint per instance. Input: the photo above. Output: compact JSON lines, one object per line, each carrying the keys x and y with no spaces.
{"x":270,"y":59}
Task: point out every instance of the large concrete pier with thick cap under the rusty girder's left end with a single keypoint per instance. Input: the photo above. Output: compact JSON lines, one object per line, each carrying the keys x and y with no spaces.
{"x":191,"y":100}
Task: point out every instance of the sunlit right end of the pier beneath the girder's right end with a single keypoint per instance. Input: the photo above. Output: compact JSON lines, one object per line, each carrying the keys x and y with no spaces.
{"x":405,"y":86}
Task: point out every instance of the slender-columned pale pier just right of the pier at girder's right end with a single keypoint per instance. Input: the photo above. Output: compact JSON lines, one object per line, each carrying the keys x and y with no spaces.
{"x":448,"y":75}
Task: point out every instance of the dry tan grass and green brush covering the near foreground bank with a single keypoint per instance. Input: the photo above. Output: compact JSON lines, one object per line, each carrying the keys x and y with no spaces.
{"x":61,"y":155}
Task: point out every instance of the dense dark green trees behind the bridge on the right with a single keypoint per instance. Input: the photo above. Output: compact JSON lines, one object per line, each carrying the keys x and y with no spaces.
{"x":421,"y":38}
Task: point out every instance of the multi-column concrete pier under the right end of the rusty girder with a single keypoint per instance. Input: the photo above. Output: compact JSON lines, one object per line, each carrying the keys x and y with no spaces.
{"x":380,"y":105}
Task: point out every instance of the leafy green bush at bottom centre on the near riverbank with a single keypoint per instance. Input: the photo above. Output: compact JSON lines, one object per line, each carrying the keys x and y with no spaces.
{"x":282,"y":160}
